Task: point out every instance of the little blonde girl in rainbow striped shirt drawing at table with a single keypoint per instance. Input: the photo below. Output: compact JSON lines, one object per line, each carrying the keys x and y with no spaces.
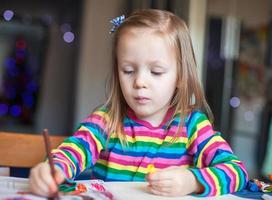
{"x":154,"y":115}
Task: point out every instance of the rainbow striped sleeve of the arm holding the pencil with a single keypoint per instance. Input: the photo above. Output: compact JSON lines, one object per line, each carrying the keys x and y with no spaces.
{"x":82,"y":150}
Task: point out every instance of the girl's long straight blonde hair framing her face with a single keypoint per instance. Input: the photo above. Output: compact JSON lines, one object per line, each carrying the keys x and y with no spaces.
{"x":189,"y":94}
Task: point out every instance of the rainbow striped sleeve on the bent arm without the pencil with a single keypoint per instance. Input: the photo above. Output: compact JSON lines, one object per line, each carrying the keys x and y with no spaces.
{"x":215,"y":166}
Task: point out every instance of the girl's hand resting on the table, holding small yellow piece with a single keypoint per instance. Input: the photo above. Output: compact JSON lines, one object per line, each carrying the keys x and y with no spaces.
{"x":173,"y":181}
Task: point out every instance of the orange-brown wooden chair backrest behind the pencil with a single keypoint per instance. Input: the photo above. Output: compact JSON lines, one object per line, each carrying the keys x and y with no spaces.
{"x":24,"y":150}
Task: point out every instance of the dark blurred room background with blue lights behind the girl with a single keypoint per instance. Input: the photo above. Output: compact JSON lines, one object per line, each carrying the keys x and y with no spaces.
{"x":55,"y":57}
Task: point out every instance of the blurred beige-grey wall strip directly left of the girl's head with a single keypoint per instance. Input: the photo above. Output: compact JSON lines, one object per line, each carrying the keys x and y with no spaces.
{"x":95,"y":54}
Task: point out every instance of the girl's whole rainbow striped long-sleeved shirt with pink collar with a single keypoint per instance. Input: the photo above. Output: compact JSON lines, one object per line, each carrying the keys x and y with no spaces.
{"x":198,"y":147}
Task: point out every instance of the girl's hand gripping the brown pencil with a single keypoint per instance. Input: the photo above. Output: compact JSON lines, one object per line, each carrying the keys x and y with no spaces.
{"x":41,"y":181}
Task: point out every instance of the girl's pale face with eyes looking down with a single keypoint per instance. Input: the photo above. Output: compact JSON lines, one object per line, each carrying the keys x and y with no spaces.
{"x":147,"y":68}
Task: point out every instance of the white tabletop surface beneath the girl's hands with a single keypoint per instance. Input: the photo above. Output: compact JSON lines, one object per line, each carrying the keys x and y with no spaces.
{"x":120,"y":190}
